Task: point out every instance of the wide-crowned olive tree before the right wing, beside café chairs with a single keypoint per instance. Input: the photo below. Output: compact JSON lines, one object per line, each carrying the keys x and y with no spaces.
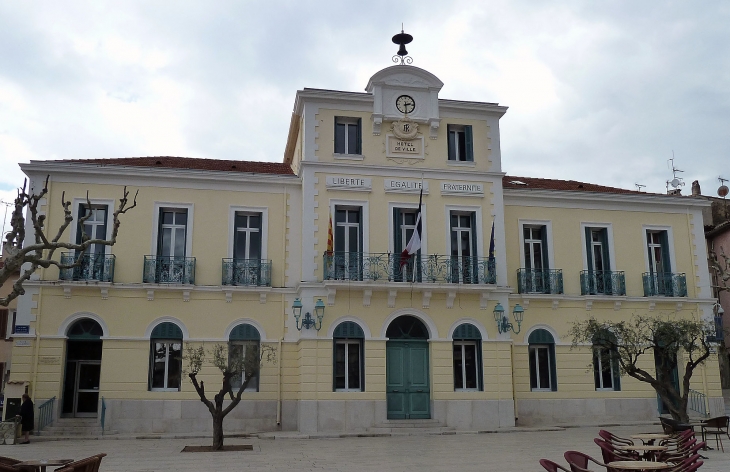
{"x":662,"y":339}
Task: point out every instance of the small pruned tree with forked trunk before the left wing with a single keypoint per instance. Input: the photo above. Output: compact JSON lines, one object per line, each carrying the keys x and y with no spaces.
{"x":239,"y":365}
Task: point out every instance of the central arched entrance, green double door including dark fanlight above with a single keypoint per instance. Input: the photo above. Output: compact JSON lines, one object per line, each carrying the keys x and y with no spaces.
{"x":408,"y":386}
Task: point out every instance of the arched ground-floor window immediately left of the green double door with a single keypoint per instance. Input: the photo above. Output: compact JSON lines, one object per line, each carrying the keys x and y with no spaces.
{"x":349,"y":353}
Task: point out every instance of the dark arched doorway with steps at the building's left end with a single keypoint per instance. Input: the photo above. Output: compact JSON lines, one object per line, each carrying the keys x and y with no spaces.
{"x":83,"y":369}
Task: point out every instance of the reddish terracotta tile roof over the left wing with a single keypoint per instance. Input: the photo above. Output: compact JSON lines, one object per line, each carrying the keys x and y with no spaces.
{"x":172,"y":162}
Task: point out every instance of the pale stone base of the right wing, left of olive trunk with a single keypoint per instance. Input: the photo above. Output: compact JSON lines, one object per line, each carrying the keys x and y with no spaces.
{"x":585,"y":411}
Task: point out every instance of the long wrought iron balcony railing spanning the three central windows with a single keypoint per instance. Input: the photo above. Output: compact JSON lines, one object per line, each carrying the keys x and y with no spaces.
{"x":427,"y":269}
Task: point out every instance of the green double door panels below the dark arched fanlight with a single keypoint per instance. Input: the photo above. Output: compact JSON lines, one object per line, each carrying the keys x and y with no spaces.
{"x":408,"y":391}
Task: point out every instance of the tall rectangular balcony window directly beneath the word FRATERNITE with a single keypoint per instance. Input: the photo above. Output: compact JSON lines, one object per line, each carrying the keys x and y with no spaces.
{"x":463,"y":247}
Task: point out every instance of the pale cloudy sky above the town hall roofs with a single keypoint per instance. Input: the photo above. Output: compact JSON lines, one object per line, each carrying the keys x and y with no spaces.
{"x":602,"y":92}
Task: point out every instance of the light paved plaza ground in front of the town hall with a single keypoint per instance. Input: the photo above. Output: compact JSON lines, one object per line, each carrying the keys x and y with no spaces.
{"x":507,"y":451}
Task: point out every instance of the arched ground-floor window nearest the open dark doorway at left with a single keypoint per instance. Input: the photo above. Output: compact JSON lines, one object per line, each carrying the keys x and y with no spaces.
{"x":166,"y":357}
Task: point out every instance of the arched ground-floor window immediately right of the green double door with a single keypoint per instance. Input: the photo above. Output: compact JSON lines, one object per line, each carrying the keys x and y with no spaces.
{"x":467,"y":358}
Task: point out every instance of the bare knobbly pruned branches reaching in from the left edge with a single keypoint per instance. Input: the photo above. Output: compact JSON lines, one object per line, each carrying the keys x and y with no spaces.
{"x":39,"y":253}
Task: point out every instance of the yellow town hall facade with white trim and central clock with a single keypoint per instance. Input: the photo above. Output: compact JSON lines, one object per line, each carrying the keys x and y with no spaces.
{"x":240,"y":253}
